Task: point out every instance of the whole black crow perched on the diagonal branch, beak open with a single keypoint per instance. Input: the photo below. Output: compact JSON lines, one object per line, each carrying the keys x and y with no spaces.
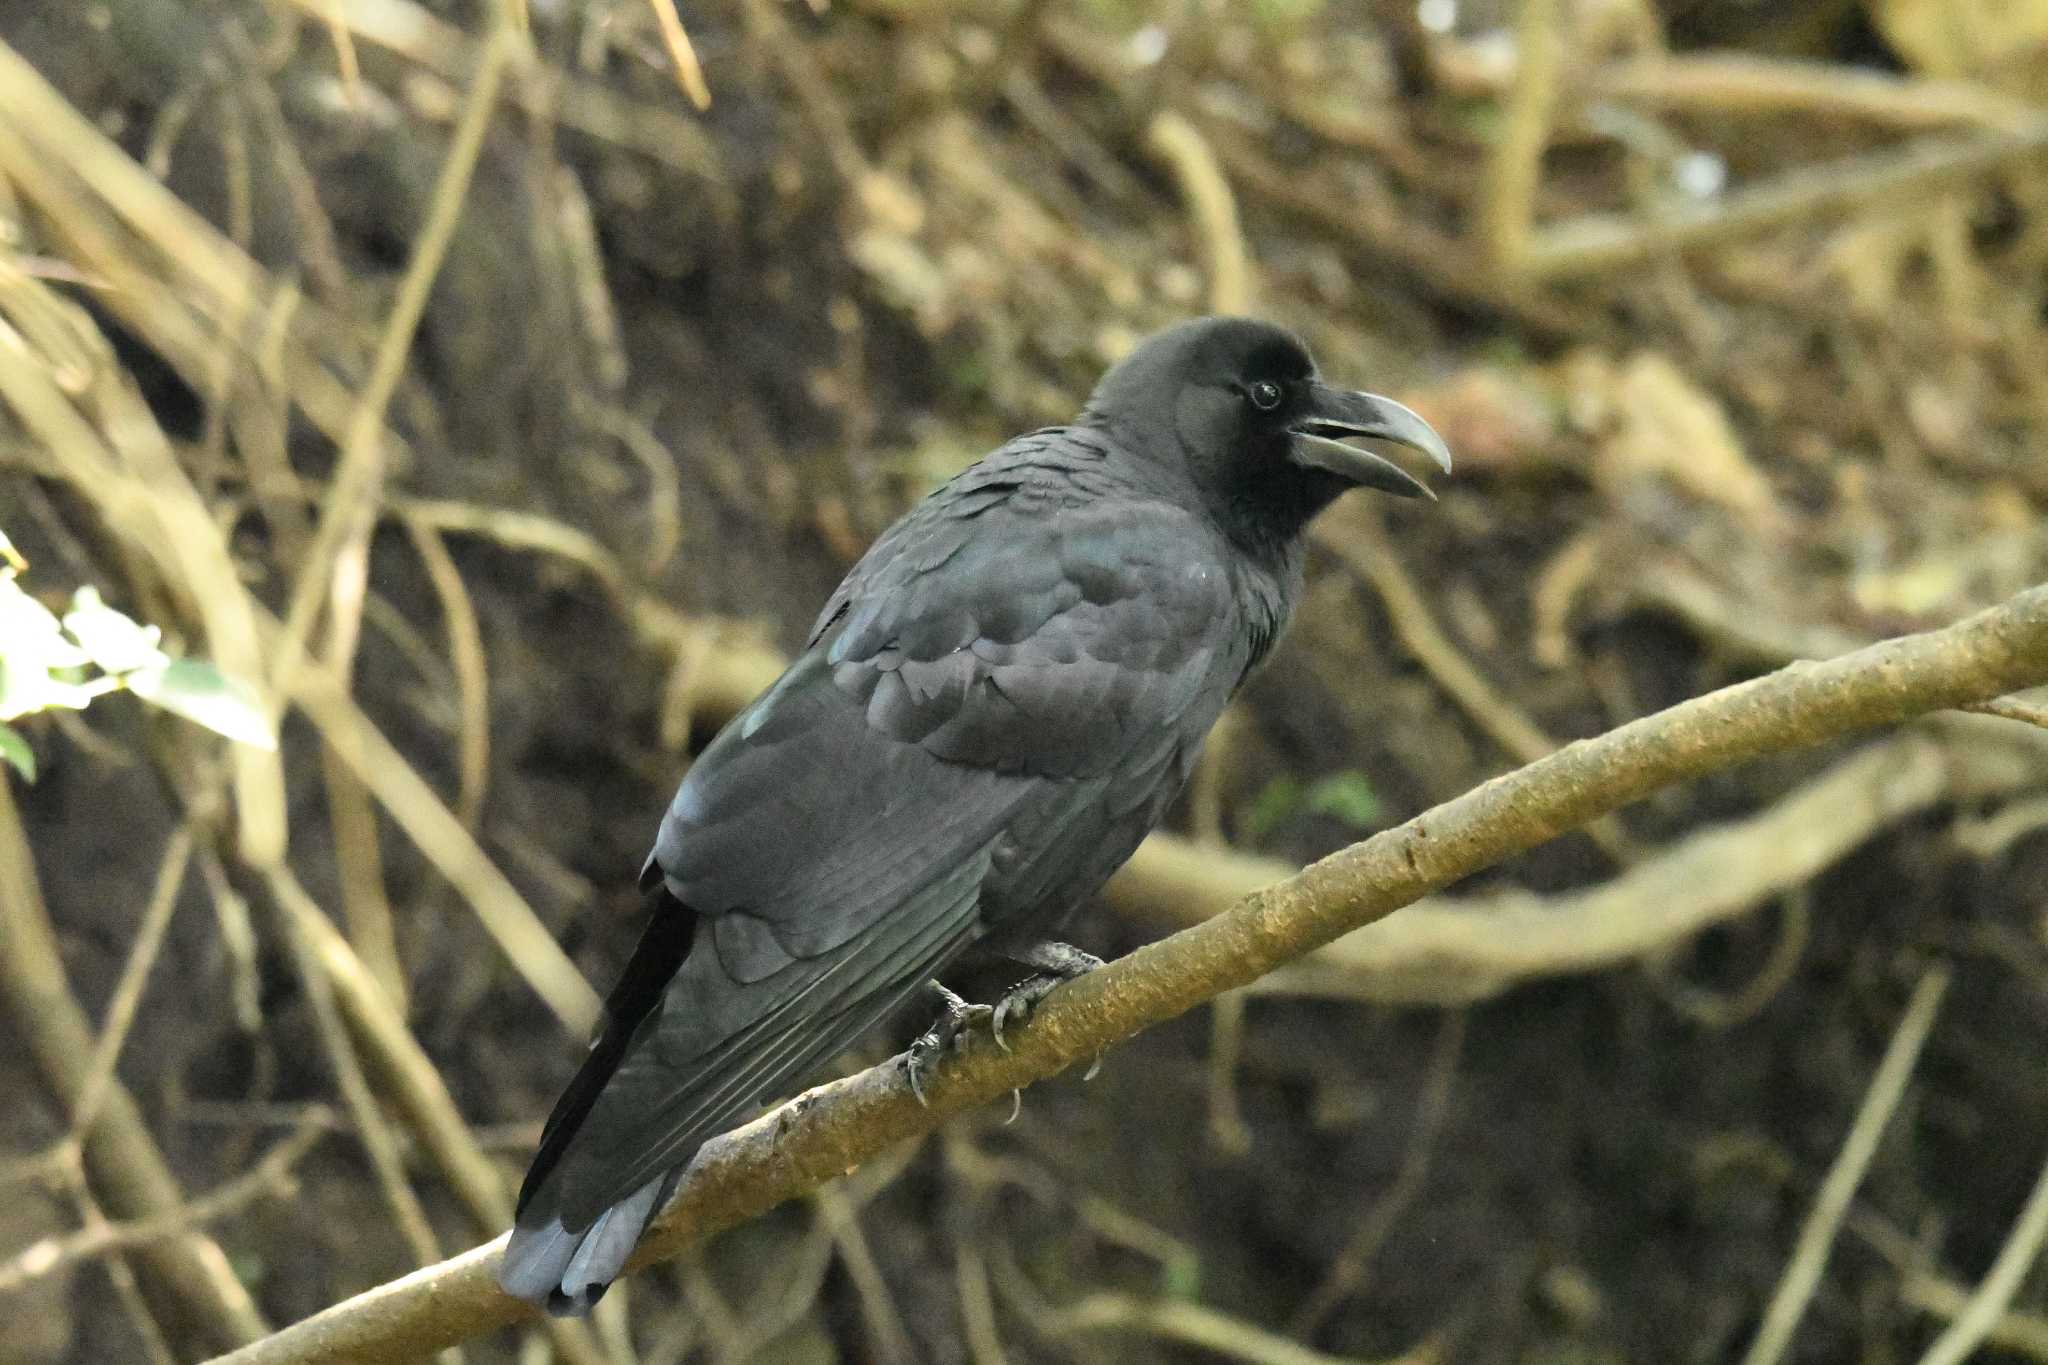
{"x":990,"y":715}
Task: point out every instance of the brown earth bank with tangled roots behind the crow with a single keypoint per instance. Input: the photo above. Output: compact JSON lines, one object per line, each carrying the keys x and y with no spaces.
{"x":1754,"y":371}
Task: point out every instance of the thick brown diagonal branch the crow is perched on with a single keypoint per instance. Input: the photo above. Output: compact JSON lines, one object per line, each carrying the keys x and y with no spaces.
{"x":839,"y":1127}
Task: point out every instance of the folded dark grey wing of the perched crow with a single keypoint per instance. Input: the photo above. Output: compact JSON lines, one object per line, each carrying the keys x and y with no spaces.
{"x":1013,"y":646}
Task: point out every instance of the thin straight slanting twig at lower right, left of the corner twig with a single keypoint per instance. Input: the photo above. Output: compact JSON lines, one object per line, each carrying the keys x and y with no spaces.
{"x":1816,"y":1239}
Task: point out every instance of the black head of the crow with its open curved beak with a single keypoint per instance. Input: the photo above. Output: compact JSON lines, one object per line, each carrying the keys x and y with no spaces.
{"x":1242,"y":404}
